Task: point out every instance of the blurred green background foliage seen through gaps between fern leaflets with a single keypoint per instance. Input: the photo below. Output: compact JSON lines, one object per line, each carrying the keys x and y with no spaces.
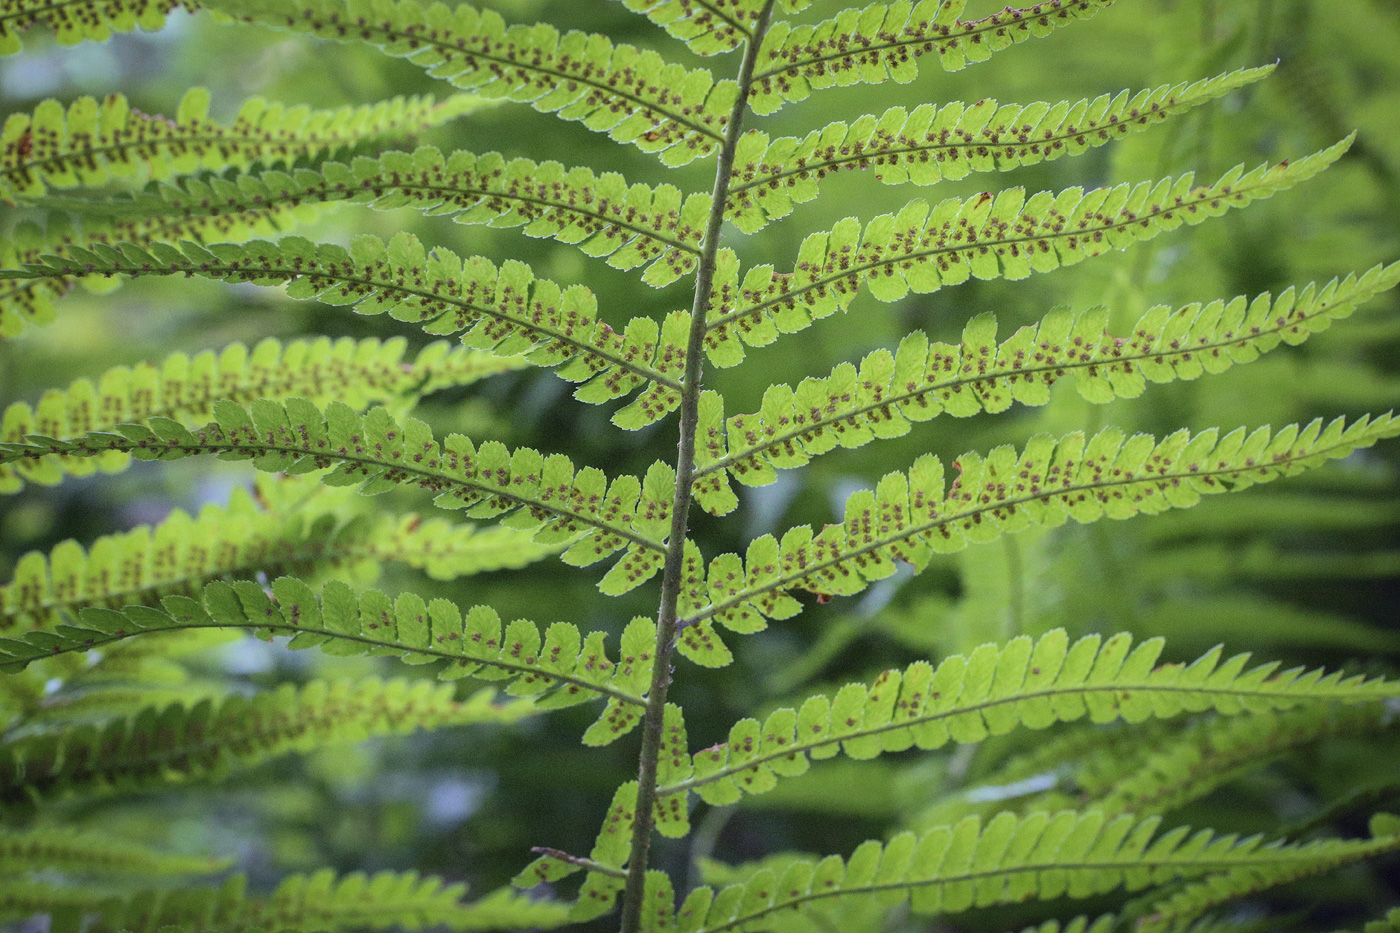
{"x":1305,"y":571}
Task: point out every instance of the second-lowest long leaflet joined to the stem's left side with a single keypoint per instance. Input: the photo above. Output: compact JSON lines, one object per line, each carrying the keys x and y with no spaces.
{"x":379,"y":453}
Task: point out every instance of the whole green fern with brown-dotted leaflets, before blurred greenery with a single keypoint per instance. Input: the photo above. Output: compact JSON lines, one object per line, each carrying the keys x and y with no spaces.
{"x":100,"y":700}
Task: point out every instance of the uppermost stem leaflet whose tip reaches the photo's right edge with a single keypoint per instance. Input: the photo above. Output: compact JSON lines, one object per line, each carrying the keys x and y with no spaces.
{"x":922,"y":379}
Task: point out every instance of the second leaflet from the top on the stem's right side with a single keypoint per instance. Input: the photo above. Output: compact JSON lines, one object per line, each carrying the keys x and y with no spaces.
{"x":933,"y":144}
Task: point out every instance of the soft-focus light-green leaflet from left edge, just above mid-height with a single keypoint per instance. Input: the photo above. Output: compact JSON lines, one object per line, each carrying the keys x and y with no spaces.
{"x":185,"y":390}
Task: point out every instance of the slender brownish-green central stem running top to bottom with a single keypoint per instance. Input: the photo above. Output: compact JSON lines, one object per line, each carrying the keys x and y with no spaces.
{"x":671,"y":578}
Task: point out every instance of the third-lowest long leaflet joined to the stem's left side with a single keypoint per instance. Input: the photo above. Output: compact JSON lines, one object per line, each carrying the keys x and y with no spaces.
{"x":503,"y":309}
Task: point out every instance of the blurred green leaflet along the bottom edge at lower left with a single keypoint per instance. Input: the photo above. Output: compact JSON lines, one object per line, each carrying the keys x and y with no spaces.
{"x":321,"y":901}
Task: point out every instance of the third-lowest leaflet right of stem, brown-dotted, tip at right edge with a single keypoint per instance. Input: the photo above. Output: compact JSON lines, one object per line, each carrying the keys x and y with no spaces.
{"x":911,"y":518}
